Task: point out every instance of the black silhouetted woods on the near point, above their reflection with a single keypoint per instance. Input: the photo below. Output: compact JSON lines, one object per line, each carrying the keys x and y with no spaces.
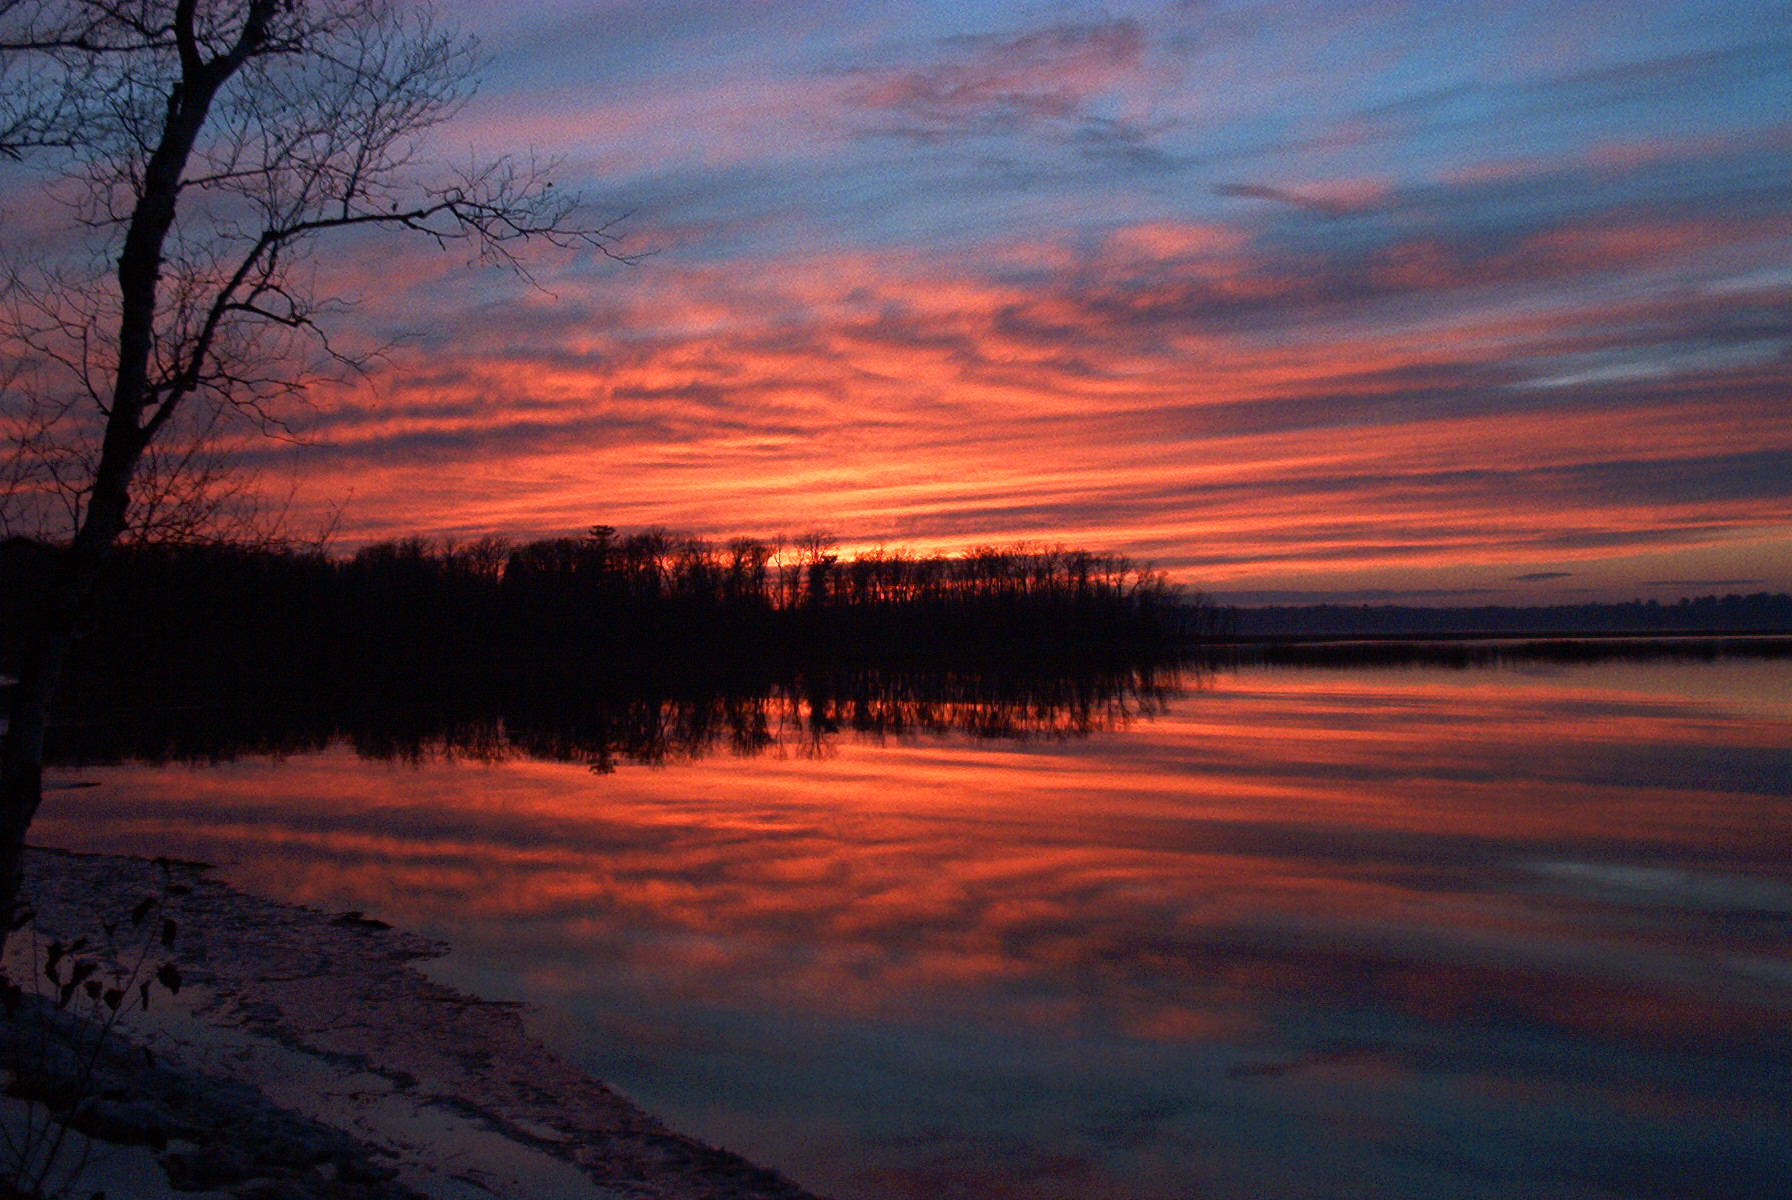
{"x":644,"y":603}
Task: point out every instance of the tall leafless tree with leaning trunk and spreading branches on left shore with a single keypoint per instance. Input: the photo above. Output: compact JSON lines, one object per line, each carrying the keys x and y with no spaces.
{"x":203,"y":151}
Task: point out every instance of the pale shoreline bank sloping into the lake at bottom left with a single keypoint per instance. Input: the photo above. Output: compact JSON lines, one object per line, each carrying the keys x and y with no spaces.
{"x":306,"y":1056}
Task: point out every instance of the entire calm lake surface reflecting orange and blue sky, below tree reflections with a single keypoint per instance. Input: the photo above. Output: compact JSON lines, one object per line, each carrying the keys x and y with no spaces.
{"x":1379,"y":932}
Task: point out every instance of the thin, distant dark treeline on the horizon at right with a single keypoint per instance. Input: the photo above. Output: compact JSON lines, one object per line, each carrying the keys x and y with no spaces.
{"x":1734,"y":613}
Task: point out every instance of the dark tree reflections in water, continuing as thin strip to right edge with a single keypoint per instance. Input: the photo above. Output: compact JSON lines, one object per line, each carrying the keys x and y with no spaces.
{"x":583,"y":714}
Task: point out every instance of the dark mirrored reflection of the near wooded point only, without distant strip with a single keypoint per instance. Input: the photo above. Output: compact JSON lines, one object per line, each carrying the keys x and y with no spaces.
{"x":605,"y":723}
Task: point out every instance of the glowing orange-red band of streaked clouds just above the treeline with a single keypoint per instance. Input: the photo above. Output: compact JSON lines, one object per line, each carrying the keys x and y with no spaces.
{"x":1175,"y":390}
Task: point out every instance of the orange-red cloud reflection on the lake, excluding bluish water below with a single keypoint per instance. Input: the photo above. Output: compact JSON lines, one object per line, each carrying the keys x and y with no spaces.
{"x":1383,"y":834}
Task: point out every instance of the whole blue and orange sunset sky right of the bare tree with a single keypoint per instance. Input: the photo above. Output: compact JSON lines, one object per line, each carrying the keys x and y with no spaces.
{"x":1302,"y":300}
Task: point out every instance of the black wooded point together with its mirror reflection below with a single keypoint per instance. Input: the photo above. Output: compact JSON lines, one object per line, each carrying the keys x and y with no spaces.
{"x":601,"y":649}
